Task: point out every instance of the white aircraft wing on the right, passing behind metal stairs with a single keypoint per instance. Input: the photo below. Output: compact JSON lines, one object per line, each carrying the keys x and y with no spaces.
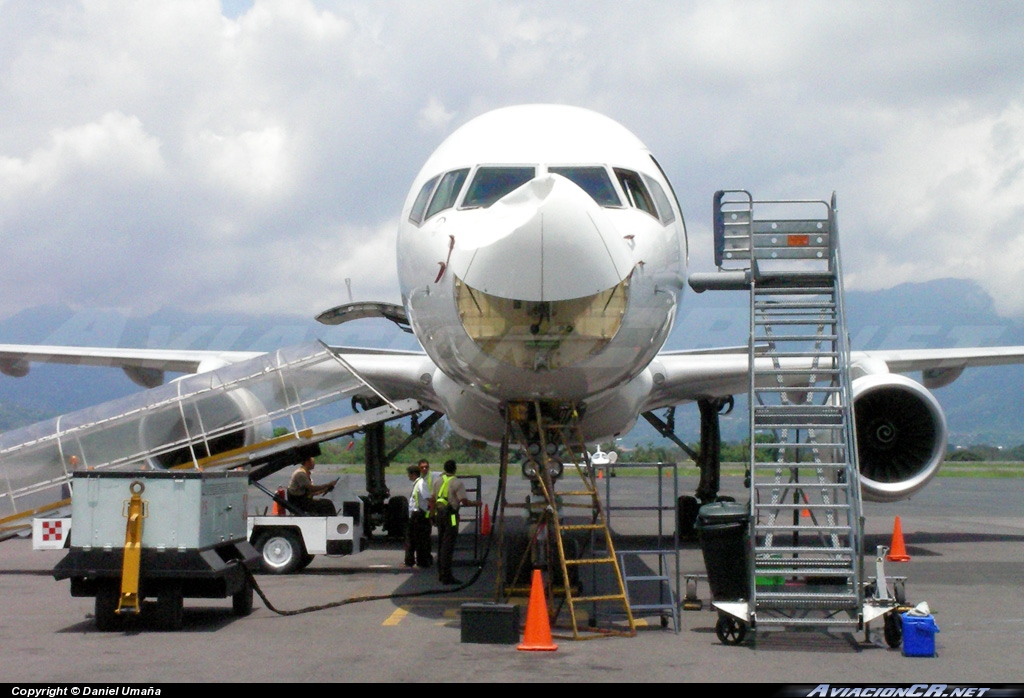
{"x":688,"y":376}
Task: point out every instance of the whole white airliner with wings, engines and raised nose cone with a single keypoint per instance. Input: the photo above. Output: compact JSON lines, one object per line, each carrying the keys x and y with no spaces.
{"x":543,"y":258}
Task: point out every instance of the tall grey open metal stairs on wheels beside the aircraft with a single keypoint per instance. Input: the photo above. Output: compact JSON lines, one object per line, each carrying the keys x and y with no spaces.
{"x":806,"y":531}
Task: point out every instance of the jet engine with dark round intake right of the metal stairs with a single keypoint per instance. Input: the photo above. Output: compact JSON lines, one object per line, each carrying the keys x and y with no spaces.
{"x":902,"y":437}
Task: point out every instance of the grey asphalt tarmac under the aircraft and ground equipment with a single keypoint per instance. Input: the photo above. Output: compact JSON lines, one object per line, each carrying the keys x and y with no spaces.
{"x":964,"y":538}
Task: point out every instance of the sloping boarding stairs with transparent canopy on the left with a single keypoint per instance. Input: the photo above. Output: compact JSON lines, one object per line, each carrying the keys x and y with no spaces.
{"x":251,"y":414}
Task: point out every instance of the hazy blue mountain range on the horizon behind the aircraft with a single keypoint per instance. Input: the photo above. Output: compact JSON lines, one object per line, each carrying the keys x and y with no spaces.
{"x":985,"y":406}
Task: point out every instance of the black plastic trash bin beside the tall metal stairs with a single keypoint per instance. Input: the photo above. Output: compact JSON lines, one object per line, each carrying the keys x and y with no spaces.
{"x":723,"y":531}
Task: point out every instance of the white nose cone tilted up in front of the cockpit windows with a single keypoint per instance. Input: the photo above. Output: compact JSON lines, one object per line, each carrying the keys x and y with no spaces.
{"x":546,"y":241}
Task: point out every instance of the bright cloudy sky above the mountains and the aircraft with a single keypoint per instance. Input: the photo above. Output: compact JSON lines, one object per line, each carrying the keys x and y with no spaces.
{"x":252,"y":156}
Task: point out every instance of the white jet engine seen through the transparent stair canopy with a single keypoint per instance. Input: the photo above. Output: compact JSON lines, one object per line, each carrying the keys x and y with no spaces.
{"x":234,"y":419}
